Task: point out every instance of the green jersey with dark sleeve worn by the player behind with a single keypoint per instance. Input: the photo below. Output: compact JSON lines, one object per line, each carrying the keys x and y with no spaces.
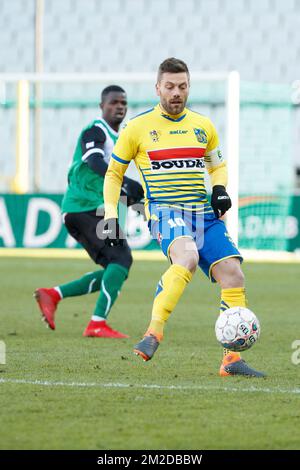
{"x":85,"y":186}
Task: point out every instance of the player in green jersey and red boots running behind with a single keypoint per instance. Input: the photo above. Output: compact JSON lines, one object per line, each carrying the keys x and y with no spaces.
{"x":80,"y":207}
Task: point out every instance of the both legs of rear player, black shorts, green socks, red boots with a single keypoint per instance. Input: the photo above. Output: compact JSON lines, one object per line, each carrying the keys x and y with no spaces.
{"x":109,"y":281}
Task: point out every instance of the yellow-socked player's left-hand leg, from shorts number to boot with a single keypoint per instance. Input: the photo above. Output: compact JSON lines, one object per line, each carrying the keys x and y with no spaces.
{"x":179,"y":246}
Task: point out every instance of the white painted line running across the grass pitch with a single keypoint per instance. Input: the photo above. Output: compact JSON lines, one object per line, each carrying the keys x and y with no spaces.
{"x":252,"y":389}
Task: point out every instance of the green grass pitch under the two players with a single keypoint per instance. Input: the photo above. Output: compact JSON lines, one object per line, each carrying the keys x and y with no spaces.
{"x":224,"y":414}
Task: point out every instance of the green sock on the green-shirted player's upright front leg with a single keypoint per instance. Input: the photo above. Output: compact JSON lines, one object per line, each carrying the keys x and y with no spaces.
{"x":112,"y":281}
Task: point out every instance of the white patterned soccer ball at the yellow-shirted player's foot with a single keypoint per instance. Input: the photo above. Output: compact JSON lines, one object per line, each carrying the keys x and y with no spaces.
{"x":237,"y":328}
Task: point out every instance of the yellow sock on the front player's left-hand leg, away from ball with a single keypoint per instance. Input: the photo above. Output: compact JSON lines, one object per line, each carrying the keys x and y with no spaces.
{"x":169,"y":290}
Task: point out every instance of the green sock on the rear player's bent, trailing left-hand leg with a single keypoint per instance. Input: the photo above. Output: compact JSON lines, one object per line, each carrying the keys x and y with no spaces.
{"x":90,"y":282}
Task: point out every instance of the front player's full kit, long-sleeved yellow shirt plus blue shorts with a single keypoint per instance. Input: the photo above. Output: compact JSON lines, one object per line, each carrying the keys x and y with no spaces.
{"x":171,"y":154}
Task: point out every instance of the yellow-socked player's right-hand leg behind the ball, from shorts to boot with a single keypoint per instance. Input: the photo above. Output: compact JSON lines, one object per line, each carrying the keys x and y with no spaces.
{"x":221,"y":261}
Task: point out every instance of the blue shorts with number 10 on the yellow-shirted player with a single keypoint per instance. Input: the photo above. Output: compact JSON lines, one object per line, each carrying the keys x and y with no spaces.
{"x":209,"y":233}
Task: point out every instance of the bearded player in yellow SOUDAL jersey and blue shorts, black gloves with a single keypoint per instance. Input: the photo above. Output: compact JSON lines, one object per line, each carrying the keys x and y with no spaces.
{"x":171,"y":147}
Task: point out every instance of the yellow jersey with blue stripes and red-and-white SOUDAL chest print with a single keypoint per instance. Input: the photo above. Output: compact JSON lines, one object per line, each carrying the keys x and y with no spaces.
{"x":171,"y":154}
